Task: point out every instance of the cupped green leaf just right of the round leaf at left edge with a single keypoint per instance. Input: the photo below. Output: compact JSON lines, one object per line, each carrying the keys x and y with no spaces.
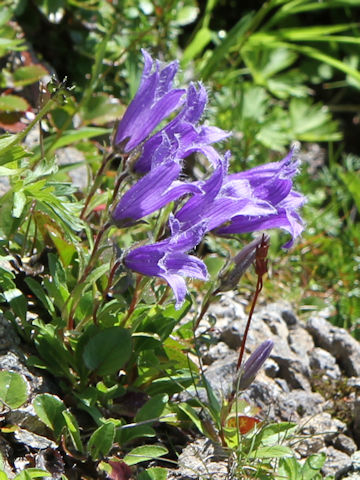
{"x":49,"y":408}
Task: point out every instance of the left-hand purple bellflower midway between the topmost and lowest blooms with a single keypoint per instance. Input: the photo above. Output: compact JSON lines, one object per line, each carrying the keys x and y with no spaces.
{"x":155,"y":189}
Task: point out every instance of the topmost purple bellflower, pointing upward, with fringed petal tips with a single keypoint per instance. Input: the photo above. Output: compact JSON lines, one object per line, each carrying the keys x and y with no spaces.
{"x":154,"y":101}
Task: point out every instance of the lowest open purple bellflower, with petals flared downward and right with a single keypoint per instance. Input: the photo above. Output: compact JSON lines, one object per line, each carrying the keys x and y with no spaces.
{"x":168,"y":259}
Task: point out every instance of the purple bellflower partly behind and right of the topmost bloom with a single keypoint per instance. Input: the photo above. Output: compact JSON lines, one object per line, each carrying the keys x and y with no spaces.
{"x":184,"y":130}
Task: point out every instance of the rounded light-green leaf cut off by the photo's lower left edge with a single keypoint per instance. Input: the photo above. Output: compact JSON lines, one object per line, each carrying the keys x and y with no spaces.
{"x":13,"y":389}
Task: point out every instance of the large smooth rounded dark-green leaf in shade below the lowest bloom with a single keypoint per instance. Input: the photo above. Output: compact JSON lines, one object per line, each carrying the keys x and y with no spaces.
{"x":108,"y":350}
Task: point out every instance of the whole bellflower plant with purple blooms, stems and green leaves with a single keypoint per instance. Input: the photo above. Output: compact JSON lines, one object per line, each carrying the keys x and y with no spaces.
{"x":118,"y":272}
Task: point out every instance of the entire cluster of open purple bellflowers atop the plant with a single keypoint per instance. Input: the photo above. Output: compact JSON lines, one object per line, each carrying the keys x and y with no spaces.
{"x":257,"y":199}
